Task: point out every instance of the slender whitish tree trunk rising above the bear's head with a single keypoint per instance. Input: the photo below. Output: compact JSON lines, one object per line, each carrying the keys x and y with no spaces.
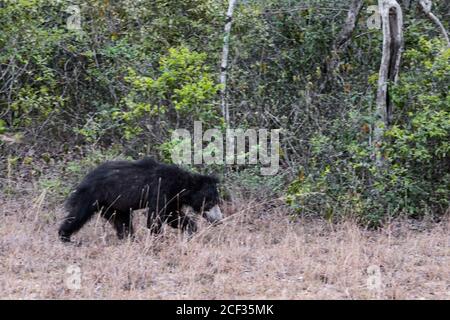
{"x":224,"y":64}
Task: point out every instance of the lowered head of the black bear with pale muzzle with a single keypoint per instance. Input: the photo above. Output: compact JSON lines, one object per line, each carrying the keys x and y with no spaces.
{"x":204,"y":197}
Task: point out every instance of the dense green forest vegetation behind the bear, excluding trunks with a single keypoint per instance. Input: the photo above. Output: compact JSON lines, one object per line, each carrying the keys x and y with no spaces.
{"x":139,"y":69}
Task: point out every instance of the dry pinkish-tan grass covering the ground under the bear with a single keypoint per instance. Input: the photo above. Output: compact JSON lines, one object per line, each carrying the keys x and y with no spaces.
{"x":257,"y":253}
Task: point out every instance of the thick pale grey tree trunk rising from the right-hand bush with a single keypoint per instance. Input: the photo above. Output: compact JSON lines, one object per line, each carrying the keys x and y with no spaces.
{"x":392,"y":24}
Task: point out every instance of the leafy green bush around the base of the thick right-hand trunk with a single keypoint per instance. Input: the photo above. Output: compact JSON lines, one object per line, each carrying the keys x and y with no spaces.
{"x":341,"y":178}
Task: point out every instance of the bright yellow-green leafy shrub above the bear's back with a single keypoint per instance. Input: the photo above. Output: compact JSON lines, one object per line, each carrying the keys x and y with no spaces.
{"x":183,"y":92}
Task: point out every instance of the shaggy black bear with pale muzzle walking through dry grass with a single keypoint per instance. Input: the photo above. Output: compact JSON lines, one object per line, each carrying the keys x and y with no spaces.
{"x":116,"y":188}
